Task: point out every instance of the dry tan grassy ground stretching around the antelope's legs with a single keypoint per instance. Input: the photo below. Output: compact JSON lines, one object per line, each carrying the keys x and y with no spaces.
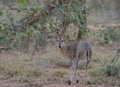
{"x":49,"y":68}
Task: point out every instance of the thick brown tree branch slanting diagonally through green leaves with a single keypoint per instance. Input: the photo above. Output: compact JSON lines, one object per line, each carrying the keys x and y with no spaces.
{"x":49,"y":7}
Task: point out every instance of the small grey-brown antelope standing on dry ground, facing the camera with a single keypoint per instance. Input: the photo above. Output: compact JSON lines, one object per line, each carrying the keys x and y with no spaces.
{"x":75,"y":52}
